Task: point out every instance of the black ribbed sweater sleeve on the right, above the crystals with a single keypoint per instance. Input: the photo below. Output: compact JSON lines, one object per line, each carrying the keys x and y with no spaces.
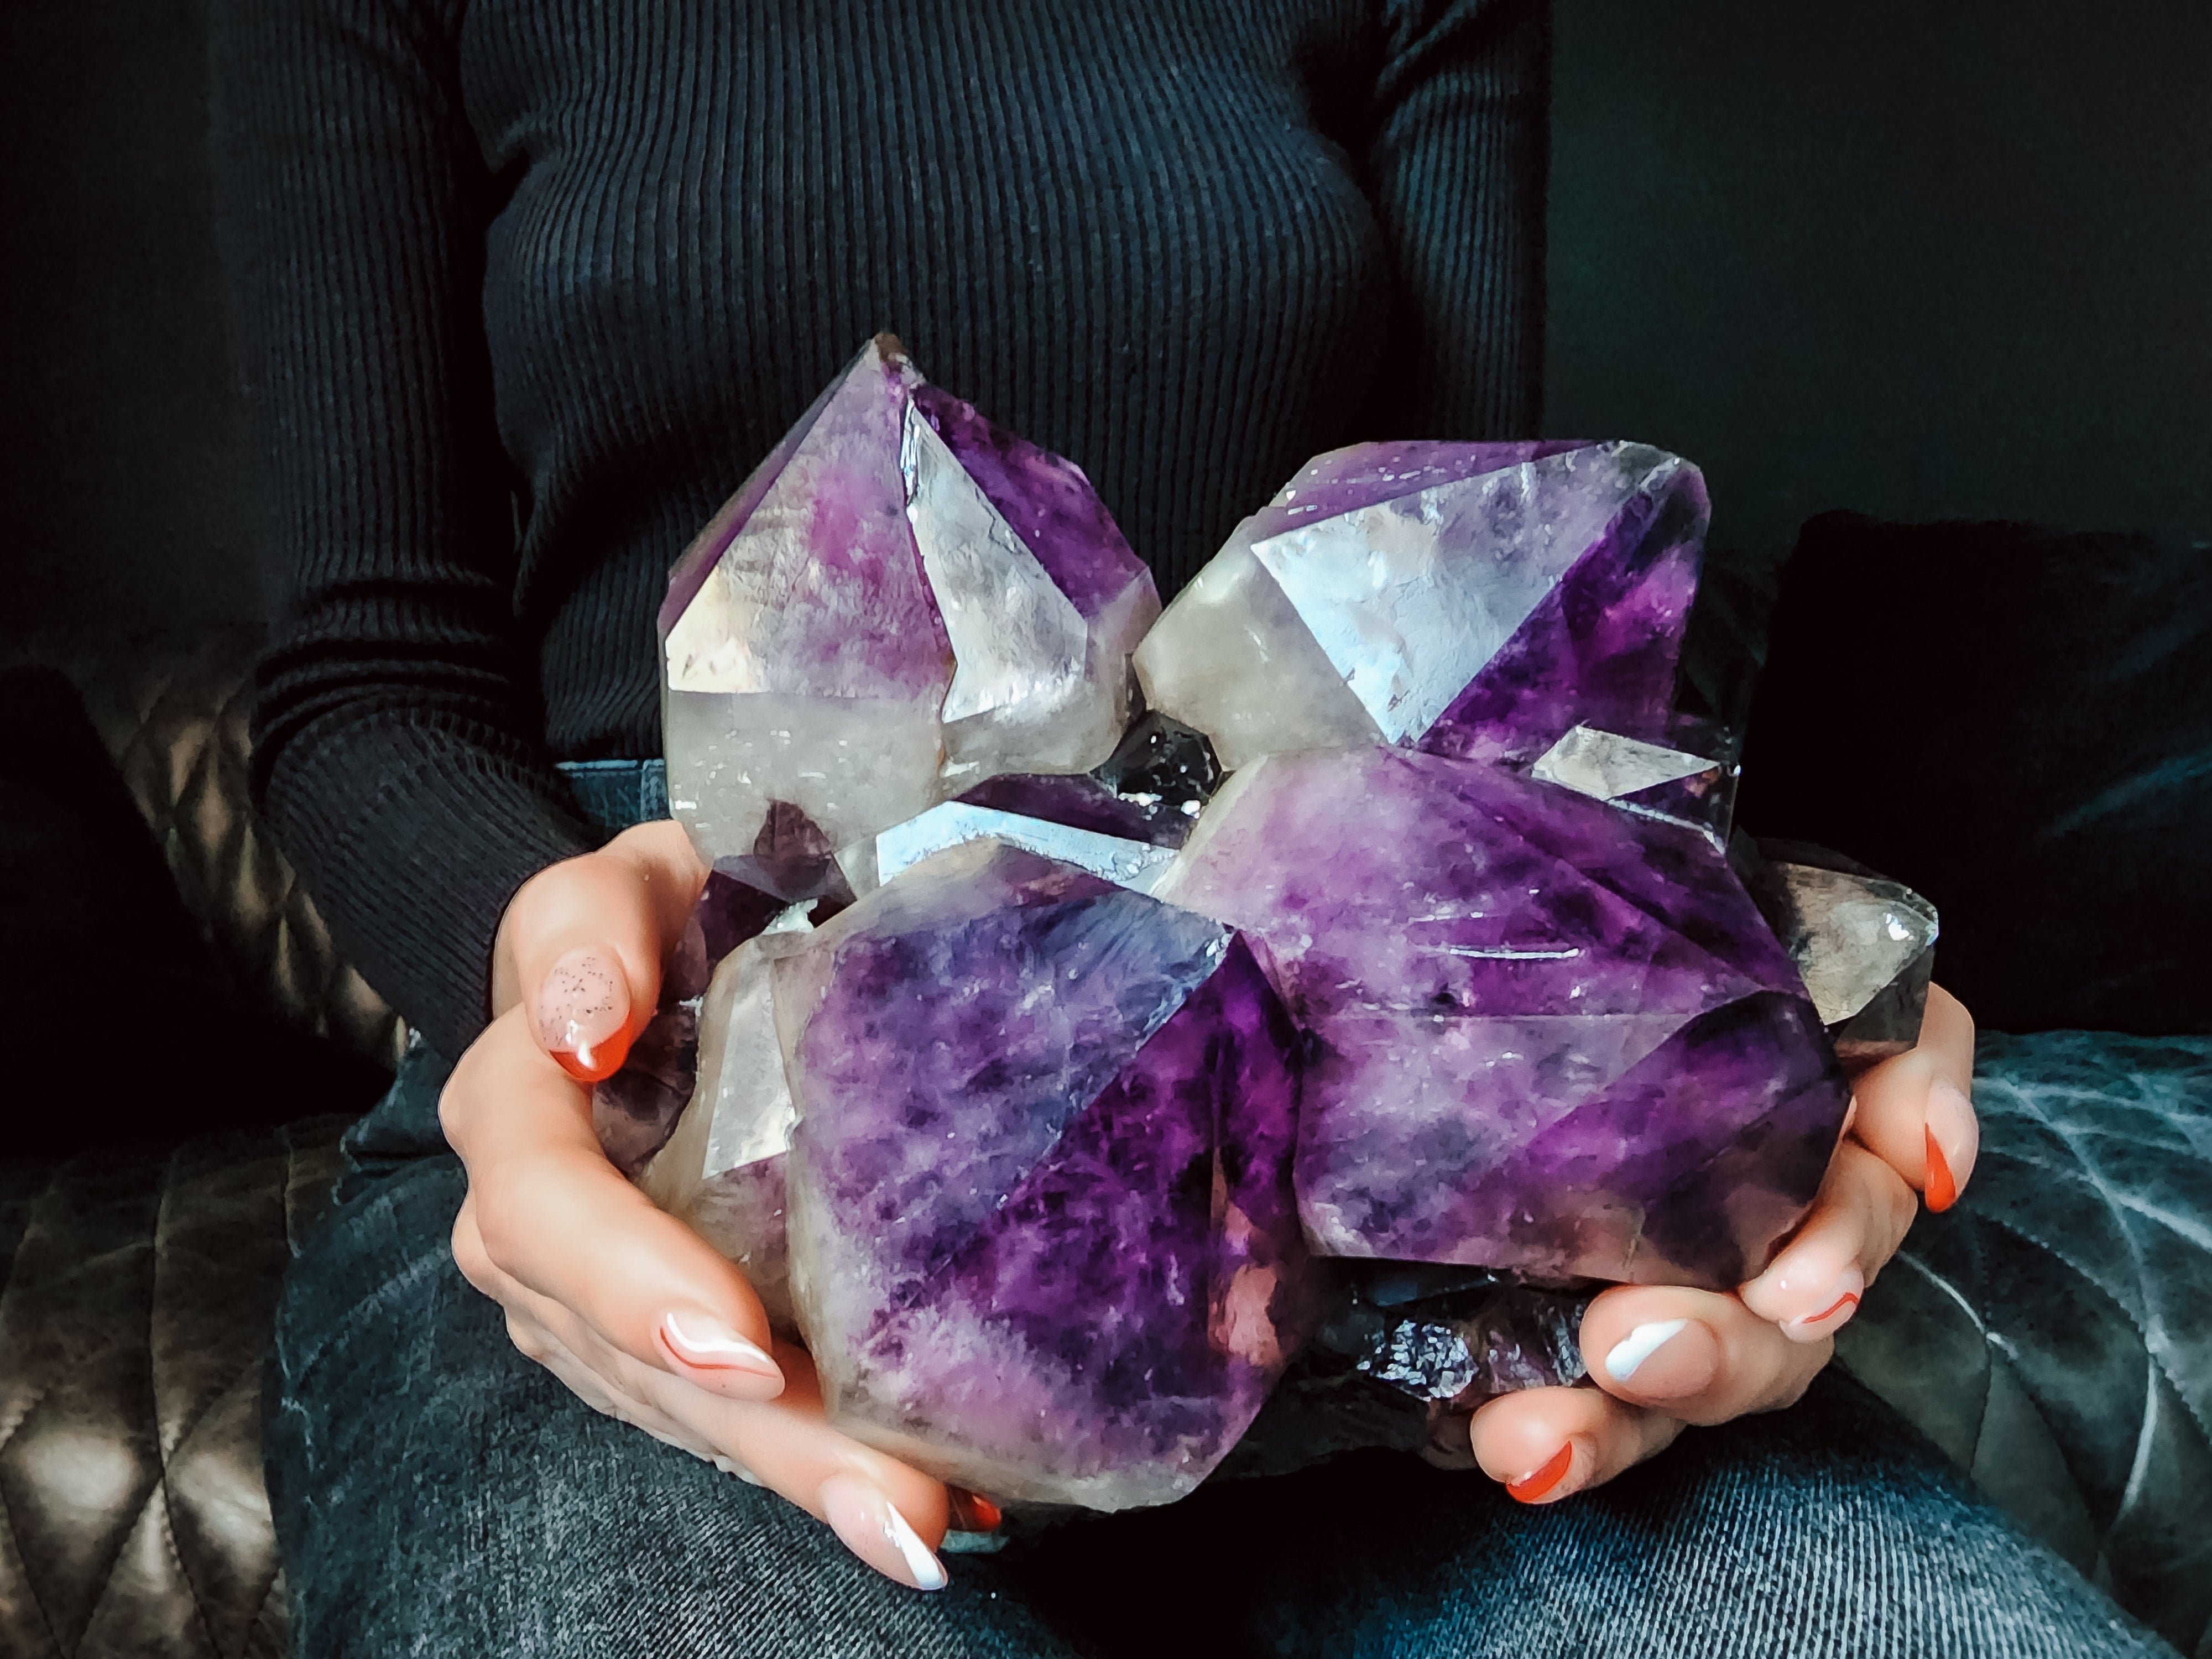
{"x":1459,"y":169}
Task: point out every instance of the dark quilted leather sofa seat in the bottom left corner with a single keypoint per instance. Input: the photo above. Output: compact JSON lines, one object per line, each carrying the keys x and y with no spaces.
{"x":136,"y":1304}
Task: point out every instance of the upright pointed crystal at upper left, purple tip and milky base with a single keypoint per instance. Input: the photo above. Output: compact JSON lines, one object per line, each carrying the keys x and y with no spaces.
{"x":901,"y":603}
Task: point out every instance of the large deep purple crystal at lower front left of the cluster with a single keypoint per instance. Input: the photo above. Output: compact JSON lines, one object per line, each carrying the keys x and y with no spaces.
{"x":1043,"y":1231}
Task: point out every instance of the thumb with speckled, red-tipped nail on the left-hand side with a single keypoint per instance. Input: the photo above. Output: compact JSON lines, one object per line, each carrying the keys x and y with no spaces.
{"x":583,"y":946}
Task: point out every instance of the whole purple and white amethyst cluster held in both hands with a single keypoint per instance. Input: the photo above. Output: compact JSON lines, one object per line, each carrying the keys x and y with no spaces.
{"x":1078,"y":1076}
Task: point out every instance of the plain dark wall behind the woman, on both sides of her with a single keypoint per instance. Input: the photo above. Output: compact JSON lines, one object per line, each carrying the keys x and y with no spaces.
{"x":1917,"y":260}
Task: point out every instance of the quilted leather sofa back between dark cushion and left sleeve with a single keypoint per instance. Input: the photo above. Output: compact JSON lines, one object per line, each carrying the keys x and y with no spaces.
{"x":174,"y":716}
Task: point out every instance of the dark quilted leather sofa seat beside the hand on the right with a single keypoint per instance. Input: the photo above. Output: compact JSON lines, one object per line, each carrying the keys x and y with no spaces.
{"x":2054,"y":1333}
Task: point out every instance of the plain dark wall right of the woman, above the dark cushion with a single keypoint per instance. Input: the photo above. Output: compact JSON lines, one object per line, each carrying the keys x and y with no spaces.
{"x":1914,"y":258}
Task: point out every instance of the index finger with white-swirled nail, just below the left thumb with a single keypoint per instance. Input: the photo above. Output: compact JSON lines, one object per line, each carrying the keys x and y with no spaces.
{"x":556,"y":1218}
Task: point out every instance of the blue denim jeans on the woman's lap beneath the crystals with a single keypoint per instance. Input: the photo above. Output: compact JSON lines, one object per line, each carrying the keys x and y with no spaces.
{"x":439,"y":1494}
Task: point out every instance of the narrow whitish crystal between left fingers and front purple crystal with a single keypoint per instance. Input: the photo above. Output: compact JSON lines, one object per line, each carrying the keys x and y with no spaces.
{"x":722,"y":1171}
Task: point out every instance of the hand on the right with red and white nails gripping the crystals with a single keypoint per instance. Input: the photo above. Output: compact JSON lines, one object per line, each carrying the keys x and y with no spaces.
{"x":1667,"y":1357}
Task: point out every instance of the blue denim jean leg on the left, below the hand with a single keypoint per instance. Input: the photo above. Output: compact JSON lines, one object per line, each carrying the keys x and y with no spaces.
{"x":437,"y":1494}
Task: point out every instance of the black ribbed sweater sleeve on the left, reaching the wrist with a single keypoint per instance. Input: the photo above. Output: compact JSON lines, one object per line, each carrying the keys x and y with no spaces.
{"x":397,"y":727}
